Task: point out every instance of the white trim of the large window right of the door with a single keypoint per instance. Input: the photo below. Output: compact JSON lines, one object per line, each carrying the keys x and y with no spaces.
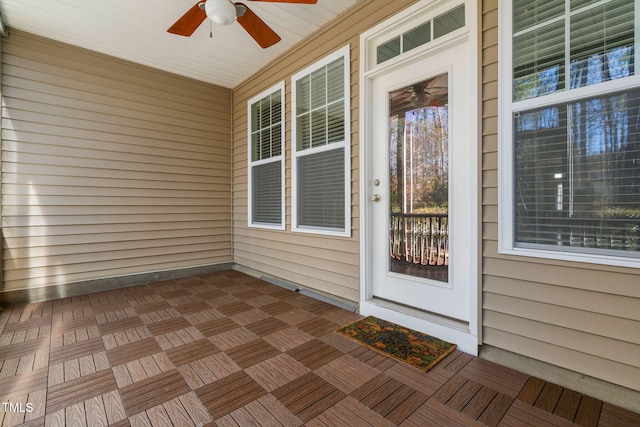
{"x":506,"y":153}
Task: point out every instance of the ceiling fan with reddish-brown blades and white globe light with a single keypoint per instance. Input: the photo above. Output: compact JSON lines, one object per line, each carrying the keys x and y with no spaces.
{"x":225,"y":12}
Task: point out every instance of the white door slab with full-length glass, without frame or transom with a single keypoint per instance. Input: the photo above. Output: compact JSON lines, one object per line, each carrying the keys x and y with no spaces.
{"x":421,"y":209}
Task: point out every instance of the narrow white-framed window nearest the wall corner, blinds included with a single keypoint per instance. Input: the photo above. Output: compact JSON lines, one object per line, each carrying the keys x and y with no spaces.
{"x":266,"y":159}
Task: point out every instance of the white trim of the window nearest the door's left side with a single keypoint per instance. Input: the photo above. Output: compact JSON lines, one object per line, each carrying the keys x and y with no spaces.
{"x":346,"y":144}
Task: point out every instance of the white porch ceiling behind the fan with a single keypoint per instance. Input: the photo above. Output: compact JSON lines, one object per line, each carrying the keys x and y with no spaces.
{"x":137,"y":31}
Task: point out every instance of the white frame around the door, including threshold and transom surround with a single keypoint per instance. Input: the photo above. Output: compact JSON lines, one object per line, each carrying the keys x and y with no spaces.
{"x":466,"y":335}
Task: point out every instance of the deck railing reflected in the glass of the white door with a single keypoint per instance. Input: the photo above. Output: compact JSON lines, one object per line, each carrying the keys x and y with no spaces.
{"x":420,"y":238}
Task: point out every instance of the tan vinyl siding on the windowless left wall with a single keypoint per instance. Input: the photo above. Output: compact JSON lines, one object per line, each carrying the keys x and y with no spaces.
{"x":109,"y":168}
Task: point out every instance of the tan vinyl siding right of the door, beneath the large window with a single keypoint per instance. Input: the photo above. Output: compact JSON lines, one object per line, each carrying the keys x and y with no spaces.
{"x":582,"y":317}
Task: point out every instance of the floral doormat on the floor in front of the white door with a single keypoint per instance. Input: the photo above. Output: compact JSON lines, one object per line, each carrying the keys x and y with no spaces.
{"x":414,"y":348}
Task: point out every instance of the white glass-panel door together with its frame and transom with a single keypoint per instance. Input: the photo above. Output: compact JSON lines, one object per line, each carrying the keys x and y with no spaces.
{"x":419,"y":170}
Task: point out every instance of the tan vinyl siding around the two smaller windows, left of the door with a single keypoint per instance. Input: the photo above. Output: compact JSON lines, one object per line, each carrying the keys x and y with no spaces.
{"x":328,"y":264}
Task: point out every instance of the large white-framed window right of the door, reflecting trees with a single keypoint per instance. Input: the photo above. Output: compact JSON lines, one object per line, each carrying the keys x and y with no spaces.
{"x":570,"y":165}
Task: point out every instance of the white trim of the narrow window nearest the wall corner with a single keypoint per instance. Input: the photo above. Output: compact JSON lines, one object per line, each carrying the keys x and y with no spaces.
{"x":281,"y":158}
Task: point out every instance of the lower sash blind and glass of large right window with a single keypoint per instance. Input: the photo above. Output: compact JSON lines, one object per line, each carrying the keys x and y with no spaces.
{"x":578,"y":174}
